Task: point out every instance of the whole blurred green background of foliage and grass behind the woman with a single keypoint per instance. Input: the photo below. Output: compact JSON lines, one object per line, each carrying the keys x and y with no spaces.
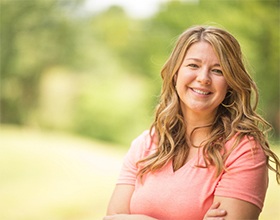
{"x":78,"y":85}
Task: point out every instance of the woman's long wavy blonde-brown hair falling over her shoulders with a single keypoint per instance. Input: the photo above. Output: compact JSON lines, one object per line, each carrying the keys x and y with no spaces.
{"x":236,"y":115}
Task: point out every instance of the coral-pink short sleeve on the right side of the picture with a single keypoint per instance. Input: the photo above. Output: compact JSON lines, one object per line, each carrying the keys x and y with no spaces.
{"x":246,"y":177}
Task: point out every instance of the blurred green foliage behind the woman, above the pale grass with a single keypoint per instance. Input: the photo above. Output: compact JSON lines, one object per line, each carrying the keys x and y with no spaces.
{"x":99,"y":74}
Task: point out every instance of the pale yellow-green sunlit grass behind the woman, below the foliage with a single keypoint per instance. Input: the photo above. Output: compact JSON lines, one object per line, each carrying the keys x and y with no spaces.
{"x":60,"y":177}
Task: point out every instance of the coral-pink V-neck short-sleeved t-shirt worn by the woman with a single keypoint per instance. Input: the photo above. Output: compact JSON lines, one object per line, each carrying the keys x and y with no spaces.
{"x":189,"y":192}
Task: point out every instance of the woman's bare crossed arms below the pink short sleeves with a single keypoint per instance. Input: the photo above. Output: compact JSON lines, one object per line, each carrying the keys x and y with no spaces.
{"x":118,"y":208}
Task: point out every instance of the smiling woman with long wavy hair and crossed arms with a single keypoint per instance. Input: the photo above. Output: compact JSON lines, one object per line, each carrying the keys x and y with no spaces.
{"x":206,"y":151}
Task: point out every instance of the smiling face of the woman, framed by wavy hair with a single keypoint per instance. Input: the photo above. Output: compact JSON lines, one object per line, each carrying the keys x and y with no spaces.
{"x":200,"y":83}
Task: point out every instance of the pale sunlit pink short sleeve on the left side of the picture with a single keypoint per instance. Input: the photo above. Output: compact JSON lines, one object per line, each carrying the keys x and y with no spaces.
{"x":137,"y":151}
